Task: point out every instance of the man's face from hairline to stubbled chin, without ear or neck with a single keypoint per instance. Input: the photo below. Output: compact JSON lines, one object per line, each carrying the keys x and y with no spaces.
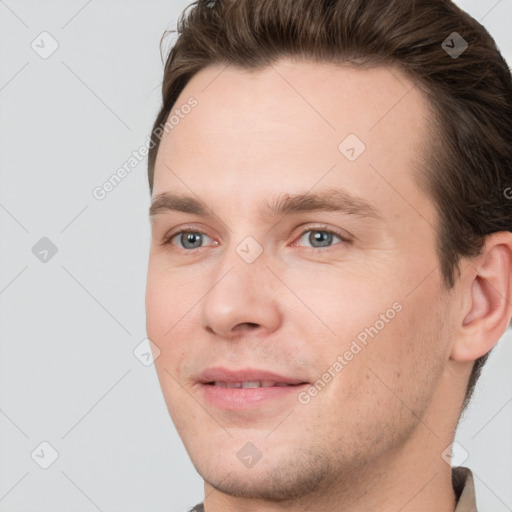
{"x":303,"y":293}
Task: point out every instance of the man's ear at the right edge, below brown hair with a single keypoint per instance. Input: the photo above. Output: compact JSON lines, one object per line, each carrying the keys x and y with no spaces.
{"x":486,"y":299}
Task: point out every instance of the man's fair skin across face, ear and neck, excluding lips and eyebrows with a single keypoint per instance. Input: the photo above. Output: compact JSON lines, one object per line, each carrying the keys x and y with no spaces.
{"x":372,"y":438}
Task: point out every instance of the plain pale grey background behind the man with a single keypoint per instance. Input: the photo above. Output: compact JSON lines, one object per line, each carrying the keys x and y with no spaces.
{"x":69,"y":326}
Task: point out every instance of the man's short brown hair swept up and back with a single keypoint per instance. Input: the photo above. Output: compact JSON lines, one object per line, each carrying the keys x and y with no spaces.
{"x":469,"y":164}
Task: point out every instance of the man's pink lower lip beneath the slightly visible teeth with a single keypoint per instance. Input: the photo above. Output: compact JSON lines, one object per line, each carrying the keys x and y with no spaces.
{"x":247,"y":398}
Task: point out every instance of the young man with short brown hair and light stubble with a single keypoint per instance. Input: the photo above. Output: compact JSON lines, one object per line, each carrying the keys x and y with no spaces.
{"x":331,"y":249}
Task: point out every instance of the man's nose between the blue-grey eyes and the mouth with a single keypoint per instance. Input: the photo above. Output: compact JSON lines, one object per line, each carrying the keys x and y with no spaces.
{"x":242,"y":298}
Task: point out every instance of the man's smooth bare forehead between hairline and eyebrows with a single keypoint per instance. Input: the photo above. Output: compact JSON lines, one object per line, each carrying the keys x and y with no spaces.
{"x":294,"y":126}
